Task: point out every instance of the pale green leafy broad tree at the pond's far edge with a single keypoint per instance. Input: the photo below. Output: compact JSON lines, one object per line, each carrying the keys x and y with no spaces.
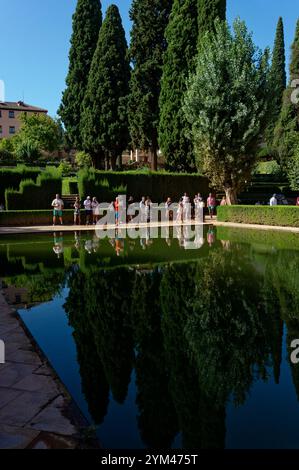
{"x":226,"y":104}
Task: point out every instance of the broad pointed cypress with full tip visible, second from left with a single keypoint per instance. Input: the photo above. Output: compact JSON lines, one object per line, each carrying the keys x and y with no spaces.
{"x":104,"y":122}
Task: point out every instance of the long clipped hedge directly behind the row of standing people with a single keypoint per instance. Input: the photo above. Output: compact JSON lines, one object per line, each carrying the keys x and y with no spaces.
{"x":106,"y":185}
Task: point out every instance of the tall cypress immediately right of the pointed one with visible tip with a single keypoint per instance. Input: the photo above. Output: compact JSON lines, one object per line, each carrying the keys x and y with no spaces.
{"x":148,"y":44}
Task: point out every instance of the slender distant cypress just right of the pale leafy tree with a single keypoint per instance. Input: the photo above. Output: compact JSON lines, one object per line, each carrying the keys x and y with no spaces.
{"x":278,"y":80}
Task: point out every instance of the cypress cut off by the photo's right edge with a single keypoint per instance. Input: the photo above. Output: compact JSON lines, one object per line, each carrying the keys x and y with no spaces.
{"x":286,"y":133}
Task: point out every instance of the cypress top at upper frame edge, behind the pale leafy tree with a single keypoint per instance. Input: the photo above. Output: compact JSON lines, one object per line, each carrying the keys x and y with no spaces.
{"x":208,"y":11}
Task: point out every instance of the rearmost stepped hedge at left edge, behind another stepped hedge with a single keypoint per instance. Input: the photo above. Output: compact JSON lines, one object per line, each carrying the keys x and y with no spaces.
{"x":10,"y":178}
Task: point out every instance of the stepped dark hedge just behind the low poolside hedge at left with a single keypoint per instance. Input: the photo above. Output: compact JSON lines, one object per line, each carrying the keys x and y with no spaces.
{"x":33,"y":195}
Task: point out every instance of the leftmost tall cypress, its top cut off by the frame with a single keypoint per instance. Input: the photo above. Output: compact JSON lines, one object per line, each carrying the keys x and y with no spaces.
{"x":87,"y":22}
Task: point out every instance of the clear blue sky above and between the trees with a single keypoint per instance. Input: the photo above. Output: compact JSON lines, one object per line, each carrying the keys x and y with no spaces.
{"x":35,"y":34}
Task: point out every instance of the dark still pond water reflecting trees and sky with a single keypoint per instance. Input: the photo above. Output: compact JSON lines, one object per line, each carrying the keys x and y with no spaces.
{"x":168,"y":343}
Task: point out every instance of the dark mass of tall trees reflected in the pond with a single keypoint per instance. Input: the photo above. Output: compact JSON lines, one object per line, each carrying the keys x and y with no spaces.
{"x":197,"y":334}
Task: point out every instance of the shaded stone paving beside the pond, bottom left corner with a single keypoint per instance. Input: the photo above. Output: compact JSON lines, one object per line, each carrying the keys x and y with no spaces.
{"x":35,"y":410}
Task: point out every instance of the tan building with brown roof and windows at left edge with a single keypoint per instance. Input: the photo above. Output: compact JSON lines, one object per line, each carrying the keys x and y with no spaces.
{"x":10,"y":116}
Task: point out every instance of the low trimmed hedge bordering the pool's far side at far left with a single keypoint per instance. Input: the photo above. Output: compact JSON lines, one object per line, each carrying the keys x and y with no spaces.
{"x":32,"y":218}
